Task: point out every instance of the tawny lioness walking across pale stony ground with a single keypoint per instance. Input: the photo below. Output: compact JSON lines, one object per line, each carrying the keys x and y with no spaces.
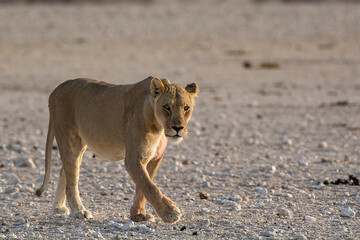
{"x":131,"y":122}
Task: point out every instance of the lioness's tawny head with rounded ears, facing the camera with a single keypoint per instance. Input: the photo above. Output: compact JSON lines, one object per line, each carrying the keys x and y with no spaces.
{"x":173,"y":106}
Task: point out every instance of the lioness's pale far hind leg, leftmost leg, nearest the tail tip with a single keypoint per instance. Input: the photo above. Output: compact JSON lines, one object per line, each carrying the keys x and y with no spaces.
{"x":59,"y":205}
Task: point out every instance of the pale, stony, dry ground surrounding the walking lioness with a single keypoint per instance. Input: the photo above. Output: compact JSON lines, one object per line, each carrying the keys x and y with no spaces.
{"x":249,"y":129}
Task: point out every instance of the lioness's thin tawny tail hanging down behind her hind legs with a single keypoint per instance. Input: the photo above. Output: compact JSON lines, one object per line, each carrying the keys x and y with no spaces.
{"x":49,"y":142}
